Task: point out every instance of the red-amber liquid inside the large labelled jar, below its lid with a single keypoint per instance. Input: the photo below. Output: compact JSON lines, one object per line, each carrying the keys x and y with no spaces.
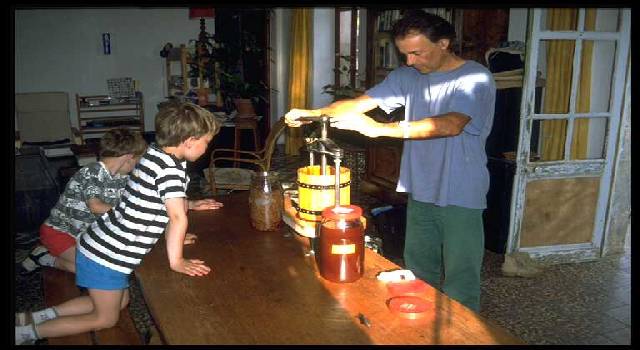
{"x":341,"y":252}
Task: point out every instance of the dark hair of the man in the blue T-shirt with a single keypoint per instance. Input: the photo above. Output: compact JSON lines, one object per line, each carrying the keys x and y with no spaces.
{"x":432,"y":26}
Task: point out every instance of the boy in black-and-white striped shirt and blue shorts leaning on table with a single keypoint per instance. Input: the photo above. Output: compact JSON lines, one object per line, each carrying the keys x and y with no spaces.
{"x":153,"y":200}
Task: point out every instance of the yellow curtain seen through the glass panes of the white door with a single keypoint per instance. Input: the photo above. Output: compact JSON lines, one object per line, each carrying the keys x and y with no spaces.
{"x":558,"y":87}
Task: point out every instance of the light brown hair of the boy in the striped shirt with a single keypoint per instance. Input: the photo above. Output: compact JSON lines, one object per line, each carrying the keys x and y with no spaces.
{"x":178,"y":121}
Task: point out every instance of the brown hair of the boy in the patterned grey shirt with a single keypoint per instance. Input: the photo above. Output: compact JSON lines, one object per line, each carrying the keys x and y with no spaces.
{"x":120,"y":141}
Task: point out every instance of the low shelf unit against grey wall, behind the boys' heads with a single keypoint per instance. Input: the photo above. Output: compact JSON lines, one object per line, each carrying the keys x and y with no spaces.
{"x":98,"y":114}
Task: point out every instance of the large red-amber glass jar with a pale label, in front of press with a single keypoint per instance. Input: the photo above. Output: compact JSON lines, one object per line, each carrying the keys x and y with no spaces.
{"x":341,"y":244}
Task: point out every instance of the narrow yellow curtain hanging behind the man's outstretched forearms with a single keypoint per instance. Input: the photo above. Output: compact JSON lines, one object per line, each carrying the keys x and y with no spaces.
{"x":300,"y":73}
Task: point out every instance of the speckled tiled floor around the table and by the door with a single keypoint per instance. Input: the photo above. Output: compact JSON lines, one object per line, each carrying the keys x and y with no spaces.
{"x":569,"y":304}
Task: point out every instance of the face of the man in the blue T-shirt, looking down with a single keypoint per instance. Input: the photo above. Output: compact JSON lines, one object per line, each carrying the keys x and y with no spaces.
{"x":423,"y":54}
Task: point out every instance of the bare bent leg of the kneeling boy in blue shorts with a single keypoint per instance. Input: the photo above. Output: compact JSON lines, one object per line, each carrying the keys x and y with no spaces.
{"x":105,"y":314}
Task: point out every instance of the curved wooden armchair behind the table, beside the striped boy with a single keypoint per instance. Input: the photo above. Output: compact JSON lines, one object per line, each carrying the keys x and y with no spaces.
{"x":240,"y":178}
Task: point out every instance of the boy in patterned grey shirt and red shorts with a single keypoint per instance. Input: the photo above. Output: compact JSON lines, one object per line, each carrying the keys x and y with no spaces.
{"x":91,"y":192}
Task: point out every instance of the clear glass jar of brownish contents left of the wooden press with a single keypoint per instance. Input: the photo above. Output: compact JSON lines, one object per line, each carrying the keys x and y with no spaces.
{"x":265,"y":201}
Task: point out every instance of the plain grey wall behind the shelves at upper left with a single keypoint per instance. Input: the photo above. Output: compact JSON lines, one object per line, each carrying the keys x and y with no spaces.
{"x":61,"y":50}
